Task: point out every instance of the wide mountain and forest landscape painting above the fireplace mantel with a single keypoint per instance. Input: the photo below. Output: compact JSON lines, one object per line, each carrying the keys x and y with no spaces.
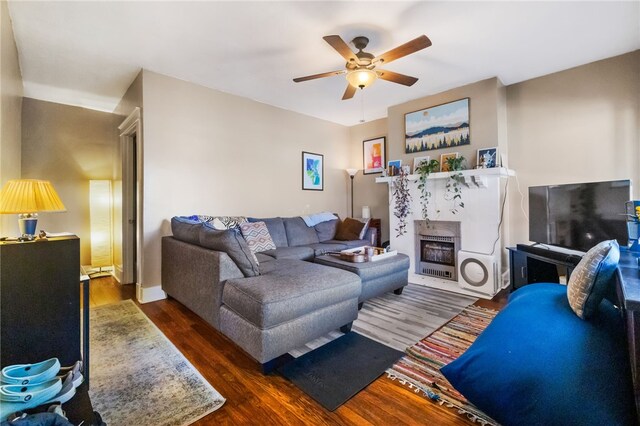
{"x":440,"y":126}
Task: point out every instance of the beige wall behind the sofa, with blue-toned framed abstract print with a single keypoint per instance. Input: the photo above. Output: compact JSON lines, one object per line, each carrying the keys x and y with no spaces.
{"x":209,"y":152}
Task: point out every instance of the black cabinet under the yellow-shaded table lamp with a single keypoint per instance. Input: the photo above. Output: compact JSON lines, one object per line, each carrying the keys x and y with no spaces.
{"x":40,"y":310}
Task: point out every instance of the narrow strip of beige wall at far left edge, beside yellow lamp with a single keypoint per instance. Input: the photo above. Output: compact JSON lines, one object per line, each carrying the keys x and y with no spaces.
{"x":10,"y":113}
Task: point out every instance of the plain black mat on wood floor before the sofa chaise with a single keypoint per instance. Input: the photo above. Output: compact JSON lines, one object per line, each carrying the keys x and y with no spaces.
{"x":335,"y":372}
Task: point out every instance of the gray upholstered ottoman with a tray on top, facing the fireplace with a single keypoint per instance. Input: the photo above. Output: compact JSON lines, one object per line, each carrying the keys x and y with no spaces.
{"x":377,"y":277}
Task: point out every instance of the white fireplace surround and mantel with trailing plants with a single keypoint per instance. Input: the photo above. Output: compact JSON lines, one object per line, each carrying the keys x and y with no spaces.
{"x":483,"y":192}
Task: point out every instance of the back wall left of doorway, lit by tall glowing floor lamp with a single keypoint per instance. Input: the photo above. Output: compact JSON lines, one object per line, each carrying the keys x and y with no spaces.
{"x":69,"y":146}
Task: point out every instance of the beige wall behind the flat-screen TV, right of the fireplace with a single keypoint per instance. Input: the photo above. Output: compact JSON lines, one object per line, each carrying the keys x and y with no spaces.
{"x":576,"y":125}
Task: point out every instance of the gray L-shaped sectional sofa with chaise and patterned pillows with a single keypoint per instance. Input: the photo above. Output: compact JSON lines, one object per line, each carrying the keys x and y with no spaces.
{"x":271,"y":303}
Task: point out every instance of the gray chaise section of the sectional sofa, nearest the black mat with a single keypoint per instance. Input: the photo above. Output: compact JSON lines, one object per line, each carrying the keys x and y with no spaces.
{"x":289,"y":304}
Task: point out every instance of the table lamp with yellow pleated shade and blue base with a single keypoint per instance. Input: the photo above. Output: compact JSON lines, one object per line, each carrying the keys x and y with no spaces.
{"x":26,"y":198}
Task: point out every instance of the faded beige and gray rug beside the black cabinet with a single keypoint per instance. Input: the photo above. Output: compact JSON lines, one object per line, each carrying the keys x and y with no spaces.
{"x":138,"y":377}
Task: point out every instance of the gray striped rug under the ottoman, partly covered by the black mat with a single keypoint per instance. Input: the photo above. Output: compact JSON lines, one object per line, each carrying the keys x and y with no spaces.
{"x":400,"y":321}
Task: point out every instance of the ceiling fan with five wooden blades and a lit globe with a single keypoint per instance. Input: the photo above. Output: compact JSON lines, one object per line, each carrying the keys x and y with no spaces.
{"x":361,"y":66}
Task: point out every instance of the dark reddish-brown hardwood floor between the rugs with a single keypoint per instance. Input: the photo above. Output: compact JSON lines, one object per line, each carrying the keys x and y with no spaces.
{"x":253,"y":398}
